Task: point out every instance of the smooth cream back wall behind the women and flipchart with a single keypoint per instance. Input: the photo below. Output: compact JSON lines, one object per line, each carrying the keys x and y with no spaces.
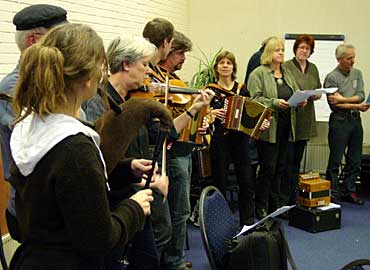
{"x":241,"y":25}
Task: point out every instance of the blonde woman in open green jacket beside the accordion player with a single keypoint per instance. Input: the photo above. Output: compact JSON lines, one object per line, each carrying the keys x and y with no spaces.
{"x":272,"y":85}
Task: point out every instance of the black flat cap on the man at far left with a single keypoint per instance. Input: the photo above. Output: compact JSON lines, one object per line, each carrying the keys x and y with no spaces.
{"x":40,"y":15}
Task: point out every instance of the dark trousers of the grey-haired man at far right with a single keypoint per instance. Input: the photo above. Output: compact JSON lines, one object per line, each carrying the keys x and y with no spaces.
{"x":345,"y":132}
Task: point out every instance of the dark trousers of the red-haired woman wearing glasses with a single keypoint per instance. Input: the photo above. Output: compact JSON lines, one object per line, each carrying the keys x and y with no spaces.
{"x":289,"y":184}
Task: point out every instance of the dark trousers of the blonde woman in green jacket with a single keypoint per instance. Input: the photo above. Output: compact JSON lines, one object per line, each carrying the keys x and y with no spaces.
{"x":273,"y":164}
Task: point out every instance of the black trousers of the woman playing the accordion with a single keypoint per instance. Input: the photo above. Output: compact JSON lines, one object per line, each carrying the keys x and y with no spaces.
{"x":236,"y":146}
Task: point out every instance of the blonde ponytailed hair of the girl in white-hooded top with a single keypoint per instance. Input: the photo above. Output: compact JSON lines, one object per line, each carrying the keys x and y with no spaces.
{"x":66,"y":56}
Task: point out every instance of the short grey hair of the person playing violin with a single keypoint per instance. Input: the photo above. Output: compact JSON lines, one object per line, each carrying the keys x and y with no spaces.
{"x":127,"y":48}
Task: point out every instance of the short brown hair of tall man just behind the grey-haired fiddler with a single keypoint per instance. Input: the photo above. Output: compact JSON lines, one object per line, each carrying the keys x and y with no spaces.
{"x":158,"y":30}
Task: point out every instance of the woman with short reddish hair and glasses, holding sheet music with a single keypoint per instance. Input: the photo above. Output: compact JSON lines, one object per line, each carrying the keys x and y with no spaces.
{"x":307,"y":77}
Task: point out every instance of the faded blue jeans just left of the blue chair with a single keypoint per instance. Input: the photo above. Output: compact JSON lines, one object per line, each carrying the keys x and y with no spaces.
{"x":179,"y":173}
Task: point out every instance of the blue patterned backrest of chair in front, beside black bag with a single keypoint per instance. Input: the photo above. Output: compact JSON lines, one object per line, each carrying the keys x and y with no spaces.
{"x":217,"y":224}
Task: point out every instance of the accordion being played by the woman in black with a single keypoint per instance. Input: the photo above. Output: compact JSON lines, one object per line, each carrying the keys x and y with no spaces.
{"x":245,"y":115}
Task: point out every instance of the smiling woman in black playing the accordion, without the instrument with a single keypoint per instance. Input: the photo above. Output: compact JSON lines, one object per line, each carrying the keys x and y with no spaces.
{"x":230,"y":144}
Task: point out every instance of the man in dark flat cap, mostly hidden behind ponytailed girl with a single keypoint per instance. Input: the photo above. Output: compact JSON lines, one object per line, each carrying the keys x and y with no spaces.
{"x":31,"y":24}
